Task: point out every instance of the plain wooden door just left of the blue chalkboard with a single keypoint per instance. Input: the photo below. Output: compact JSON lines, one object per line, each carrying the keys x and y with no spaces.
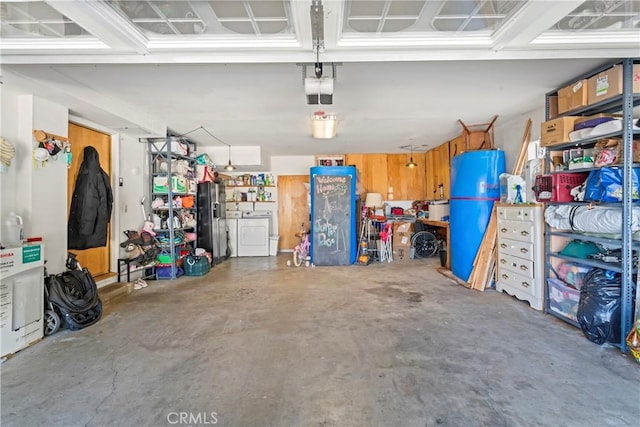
{"x":293,"y":208}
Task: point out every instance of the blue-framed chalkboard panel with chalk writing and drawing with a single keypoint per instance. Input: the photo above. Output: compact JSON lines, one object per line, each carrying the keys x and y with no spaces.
{"x":333,"y":218}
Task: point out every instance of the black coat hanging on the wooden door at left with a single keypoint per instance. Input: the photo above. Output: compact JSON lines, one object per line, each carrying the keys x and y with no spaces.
{"x":91,"y":205}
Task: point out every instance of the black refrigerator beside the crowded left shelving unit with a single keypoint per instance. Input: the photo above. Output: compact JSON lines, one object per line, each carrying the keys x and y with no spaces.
{"x":212,"y":226}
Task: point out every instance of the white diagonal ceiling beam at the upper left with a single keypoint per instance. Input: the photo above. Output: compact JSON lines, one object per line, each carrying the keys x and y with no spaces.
{"x":102,"y":21}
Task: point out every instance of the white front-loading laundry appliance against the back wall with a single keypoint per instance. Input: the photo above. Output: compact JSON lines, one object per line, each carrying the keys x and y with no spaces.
{"x":253,"y":233}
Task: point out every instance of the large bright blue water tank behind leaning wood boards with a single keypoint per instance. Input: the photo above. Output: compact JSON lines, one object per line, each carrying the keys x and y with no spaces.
{"x":475,"y":186}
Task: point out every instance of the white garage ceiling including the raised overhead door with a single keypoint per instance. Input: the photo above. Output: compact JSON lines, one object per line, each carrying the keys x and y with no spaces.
{"x":405,"y":71}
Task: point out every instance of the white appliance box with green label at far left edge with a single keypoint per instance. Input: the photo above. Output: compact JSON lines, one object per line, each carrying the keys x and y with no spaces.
{"x":21,"y":297}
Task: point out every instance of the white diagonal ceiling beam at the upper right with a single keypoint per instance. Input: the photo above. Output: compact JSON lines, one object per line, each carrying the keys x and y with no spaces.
{"x":523,"y":28}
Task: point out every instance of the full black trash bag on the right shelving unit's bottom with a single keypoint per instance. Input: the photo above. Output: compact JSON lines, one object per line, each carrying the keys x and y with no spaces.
{"x":599,"y":306}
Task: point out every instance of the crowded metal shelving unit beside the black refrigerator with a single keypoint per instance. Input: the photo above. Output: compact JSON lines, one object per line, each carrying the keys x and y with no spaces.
{"x":160,"y":150}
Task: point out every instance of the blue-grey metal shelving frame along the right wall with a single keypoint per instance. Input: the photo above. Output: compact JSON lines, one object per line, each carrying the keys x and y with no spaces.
{"x":625,"y":103}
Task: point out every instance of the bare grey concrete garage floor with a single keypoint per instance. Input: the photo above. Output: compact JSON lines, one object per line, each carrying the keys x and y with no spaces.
{"x":257,"y":343}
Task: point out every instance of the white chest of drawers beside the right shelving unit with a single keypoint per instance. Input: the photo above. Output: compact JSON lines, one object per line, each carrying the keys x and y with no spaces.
{"x":520,"y":261}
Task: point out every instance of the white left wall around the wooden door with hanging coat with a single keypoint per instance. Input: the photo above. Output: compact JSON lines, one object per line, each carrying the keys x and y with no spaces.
{"x":39,"y":193}
